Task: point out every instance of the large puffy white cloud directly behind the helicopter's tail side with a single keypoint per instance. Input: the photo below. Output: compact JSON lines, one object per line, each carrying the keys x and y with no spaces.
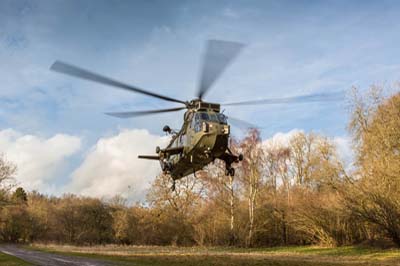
{"x":112,"y":166}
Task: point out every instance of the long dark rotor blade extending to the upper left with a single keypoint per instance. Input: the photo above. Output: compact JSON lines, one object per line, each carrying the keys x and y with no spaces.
{"x":78,"y":72}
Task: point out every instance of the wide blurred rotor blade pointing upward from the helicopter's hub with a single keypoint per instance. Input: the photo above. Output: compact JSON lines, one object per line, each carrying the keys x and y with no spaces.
{"x":218,"y":55}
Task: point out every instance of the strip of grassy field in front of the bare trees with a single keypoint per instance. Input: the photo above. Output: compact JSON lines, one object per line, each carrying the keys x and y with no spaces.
{"x":198,"y":256}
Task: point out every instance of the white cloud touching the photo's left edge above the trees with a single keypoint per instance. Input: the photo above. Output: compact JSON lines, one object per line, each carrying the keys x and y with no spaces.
{"x":38,"y":160}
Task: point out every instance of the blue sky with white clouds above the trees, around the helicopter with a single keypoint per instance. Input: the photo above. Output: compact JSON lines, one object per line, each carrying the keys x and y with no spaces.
{"x":54,"y":128}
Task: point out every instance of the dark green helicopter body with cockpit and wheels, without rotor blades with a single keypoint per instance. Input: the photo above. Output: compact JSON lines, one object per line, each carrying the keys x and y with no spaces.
{"x":204,"y":137}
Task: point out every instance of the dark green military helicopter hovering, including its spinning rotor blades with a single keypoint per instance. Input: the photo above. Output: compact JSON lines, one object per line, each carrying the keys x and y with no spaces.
{"x":204,"y":135}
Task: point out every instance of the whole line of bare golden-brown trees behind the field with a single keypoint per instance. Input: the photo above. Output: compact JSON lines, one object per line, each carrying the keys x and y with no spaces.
{"x":296,"y":192}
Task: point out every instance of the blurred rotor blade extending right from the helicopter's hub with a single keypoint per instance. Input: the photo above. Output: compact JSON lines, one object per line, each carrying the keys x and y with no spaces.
{"x":317,"y":97}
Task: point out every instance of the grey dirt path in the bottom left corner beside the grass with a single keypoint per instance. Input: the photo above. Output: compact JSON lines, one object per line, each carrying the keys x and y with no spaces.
{"x":49,"y":259}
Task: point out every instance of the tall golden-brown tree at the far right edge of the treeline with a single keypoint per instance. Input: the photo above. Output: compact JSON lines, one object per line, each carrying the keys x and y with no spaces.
{"x":374,"y":193}
